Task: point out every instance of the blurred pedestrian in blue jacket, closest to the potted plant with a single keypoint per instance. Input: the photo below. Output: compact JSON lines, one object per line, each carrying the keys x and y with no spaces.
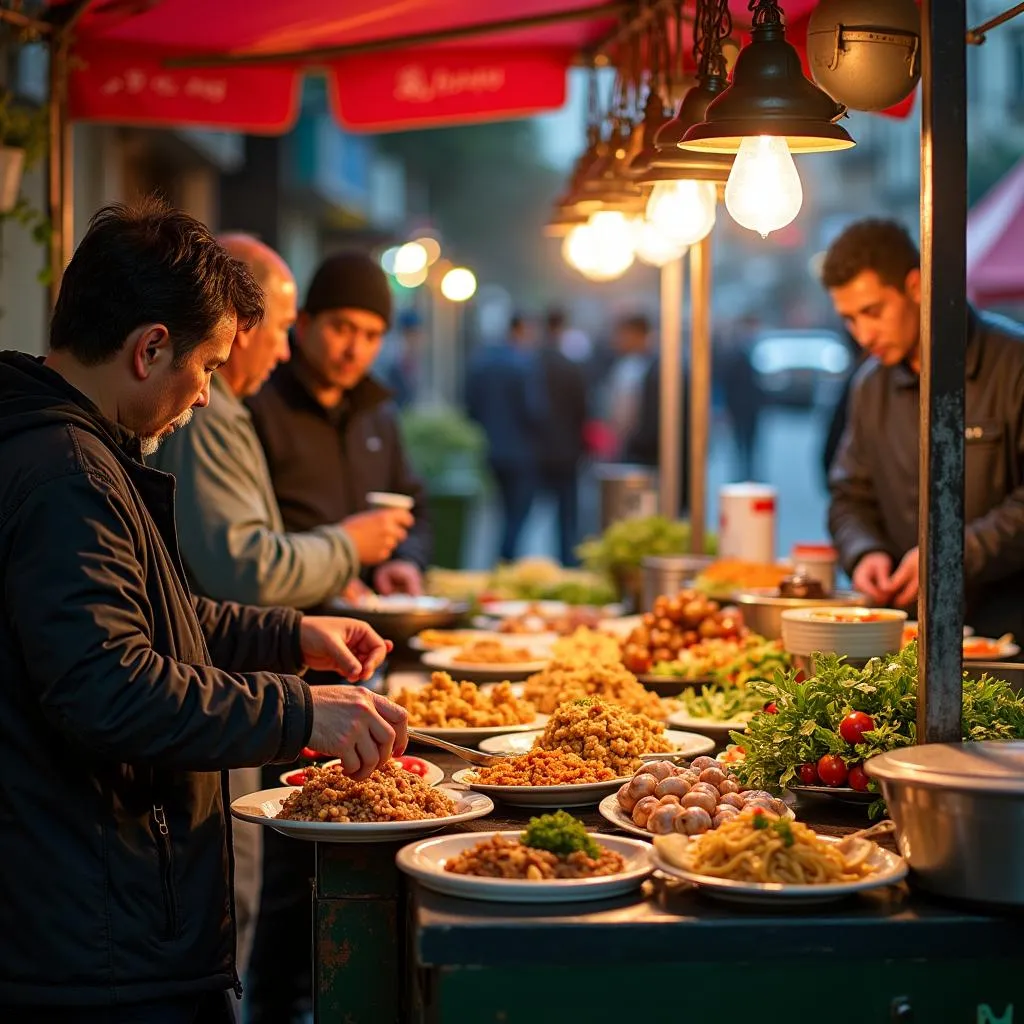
{"x":505,"y":395}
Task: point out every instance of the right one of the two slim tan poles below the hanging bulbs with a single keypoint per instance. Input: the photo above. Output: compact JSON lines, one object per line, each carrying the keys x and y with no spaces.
{"x":701,"y":266}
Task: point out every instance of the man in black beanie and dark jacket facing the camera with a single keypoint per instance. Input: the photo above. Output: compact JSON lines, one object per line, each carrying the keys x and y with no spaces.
{"x":331,"y":439}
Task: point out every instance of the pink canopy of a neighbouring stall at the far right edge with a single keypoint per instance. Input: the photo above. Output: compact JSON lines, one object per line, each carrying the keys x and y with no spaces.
{"x":996,"y":243}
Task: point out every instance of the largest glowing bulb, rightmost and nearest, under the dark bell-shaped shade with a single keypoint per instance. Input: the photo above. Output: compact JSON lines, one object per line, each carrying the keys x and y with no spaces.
{"x":764,"y":193}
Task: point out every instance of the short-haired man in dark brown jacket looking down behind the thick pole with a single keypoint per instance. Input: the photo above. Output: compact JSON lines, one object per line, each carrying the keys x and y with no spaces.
{"x":873,"y":275}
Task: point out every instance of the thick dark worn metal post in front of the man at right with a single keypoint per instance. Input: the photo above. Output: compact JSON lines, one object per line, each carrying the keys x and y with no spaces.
{"x":944,"y":345}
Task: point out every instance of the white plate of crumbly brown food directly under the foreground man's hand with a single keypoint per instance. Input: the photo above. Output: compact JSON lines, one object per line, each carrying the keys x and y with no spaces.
{"x":330,"y":807}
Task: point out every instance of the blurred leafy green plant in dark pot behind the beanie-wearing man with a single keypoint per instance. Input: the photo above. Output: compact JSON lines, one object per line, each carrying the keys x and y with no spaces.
{"x":448,"y":451}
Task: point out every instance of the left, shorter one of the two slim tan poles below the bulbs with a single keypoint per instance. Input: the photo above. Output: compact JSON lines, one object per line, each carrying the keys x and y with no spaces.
{"x":671,"y":374}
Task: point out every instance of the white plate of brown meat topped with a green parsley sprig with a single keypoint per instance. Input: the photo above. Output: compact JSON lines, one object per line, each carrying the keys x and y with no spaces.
{"x":553,"y":861}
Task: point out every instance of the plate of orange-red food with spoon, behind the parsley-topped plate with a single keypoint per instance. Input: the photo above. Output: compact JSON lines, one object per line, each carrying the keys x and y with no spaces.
{"x":543,"y":779}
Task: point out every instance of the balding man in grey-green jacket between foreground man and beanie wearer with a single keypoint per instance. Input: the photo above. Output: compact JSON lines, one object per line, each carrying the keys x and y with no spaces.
{"x":233,"y":540}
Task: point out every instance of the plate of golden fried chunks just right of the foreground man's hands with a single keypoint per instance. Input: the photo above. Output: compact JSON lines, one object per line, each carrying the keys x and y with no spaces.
{"x":465,"y":713}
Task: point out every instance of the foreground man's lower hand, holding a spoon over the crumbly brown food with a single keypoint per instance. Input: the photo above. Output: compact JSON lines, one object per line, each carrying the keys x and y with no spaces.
{"x":362,"y":729}
